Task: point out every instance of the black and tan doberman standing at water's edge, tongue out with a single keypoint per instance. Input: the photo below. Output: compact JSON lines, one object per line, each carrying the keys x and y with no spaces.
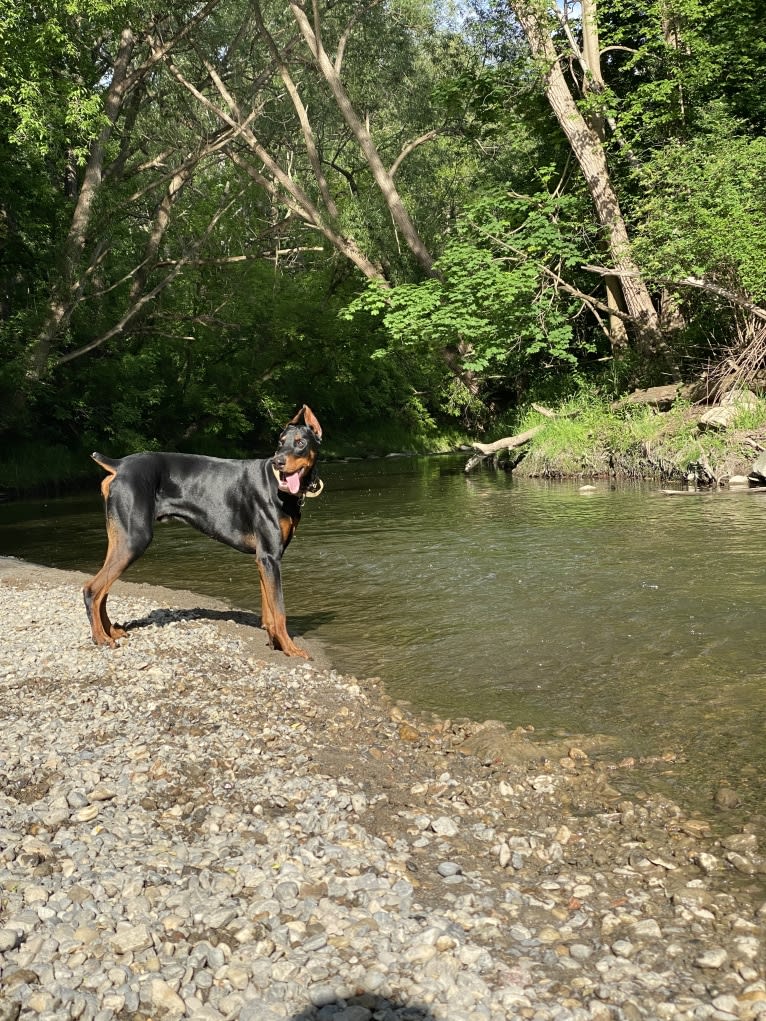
{"x":253,"y":506}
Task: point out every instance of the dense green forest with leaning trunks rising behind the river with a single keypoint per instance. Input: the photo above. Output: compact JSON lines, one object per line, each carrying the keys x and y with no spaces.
{"x":421,"y":219}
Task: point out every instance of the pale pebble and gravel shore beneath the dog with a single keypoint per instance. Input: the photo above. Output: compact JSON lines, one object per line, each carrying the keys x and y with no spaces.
{"x":195,"y":828}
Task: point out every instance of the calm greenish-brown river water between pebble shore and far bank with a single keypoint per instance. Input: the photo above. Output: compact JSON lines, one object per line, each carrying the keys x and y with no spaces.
{"x":621,"y":612}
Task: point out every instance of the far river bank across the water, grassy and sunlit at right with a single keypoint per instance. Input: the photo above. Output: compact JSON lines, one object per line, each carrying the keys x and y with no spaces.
{"x":584,"y":439}
